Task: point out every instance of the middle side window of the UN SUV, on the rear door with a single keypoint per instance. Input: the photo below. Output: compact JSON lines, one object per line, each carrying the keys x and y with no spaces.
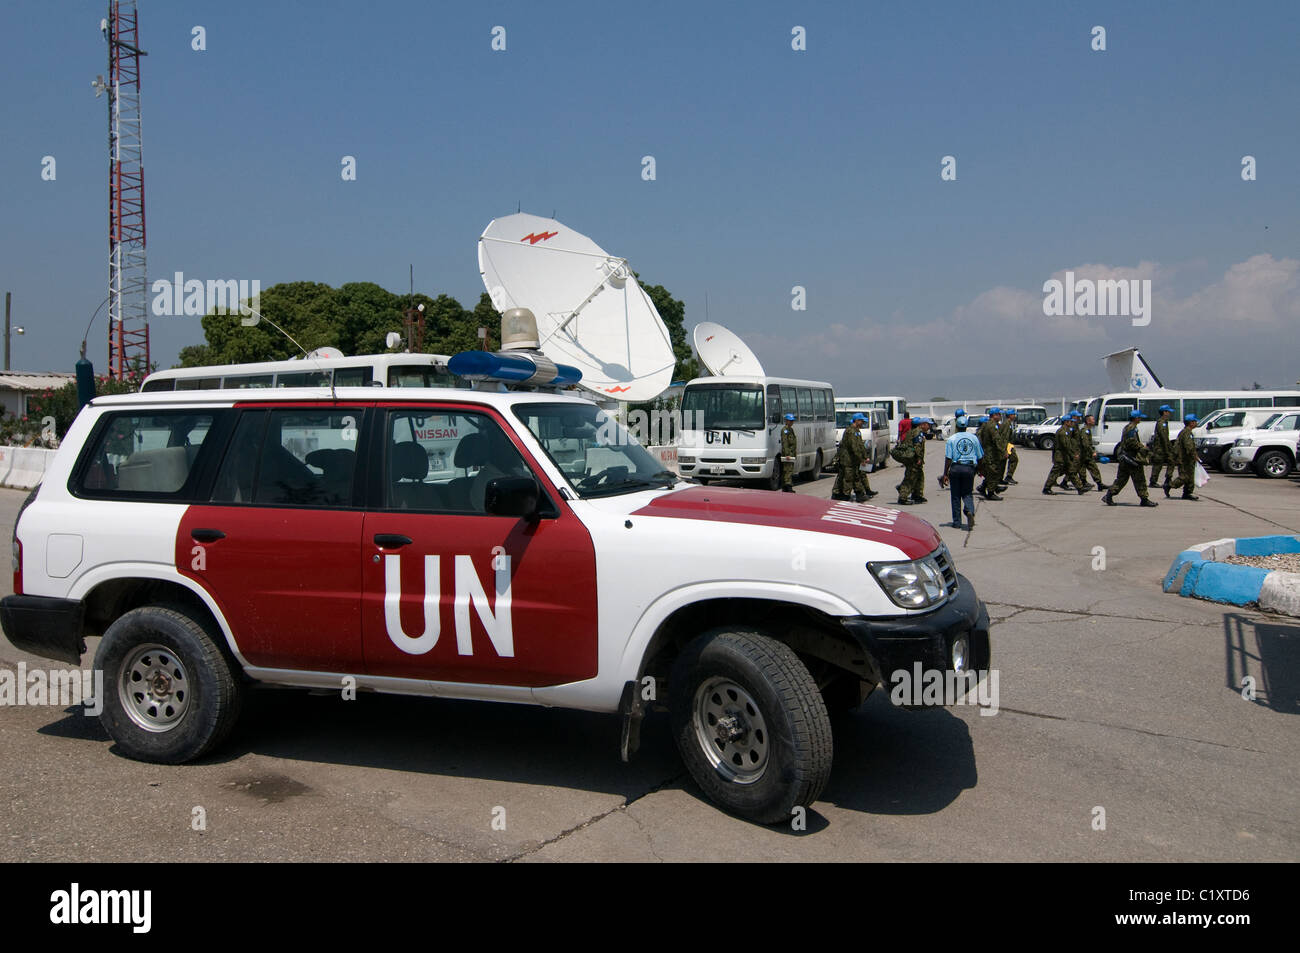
{"x":291,"y":458}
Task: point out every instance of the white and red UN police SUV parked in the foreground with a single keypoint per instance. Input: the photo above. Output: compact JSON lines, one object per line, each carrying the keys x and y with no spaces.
{"x":502,"y":547}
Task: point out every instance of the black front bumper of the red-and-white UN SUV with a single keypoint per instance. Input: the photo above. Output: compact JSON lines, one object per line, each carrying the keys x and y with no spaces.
{"x":899,"y":644}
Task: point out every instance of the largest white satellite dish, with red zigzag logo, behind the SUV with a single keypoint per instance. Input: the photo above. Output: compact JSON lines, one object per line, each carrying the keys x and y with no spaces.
{"x":591,"y":313}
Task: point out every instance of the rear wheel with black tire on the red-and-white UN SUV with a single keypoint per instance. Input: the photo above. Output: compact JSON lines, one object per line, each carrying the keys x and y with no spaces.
{"x":194,"y":707}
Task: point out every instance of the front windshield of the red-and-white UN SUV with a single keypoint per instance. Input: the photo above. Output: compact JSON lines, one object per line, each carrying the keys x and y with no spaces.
{"x":597,"y":456}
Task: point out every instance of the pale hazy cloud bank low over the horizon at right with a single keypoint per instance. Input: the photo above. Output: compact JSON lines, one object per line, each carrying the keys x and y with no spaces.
{"x":1238,"y":328}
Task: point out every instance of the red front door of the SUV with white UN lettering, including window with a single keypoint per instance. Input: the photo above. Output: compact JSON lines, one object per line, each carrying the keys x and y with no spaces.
{"x":456,"y":594}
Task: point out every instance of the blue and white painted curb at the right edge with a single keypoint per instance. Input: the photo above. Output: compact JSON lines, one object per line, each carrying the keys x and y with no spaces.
{"x":1201,"y":573}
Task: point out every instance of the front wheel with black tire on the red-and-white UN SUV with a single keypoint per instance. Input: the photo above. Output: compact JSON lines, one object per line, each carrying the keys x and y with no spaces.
{"x":782,"y":757}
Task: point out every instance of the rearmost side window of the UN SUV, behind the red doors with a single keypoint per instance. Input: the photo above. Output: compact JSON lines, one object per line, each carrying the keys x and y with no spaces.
{"x":145,"y":456}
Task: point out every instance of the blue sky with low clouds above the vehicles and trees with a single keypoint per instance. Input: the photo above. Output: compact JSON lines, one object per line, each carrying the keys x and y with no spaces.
{"x":774,"y":168}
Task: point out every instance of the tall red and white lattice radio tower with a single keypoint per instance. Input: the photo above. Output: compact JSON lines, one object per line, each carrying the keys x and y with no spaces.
{"x":128,"y":285}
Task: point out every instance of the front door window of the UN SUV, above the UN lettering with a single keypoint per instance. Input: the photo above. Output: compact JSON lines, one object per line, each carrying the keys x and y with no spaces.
{"x":443,"y":460}
